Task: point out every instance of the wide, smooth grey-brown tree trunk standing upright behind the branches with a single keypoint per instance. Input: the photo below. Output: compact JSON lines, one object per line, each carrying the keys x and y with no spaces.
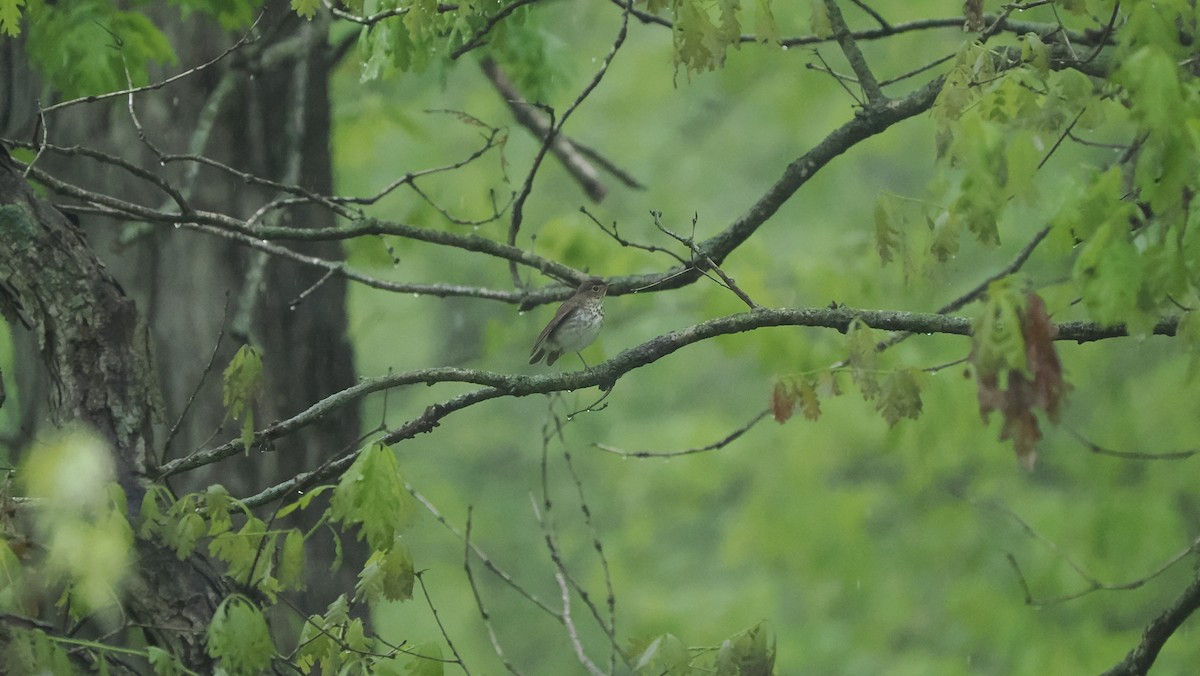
{"x":262,"y":111}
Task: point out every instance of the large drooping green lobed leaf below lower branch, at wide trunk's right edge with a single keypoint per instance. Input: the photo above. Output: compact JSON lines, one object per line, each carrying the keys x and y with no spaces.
{"x":373,"y":494}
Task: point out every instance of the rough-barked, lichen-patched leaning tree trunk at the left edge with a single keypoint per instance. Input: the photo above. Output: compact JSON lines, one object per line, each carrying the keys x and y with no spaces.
{"x":94,"y":345}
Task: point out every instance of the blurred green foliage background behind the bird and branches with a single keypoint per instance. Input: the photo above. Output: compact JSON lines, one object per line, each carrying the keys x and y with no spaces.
{"x":866,"y":548}
